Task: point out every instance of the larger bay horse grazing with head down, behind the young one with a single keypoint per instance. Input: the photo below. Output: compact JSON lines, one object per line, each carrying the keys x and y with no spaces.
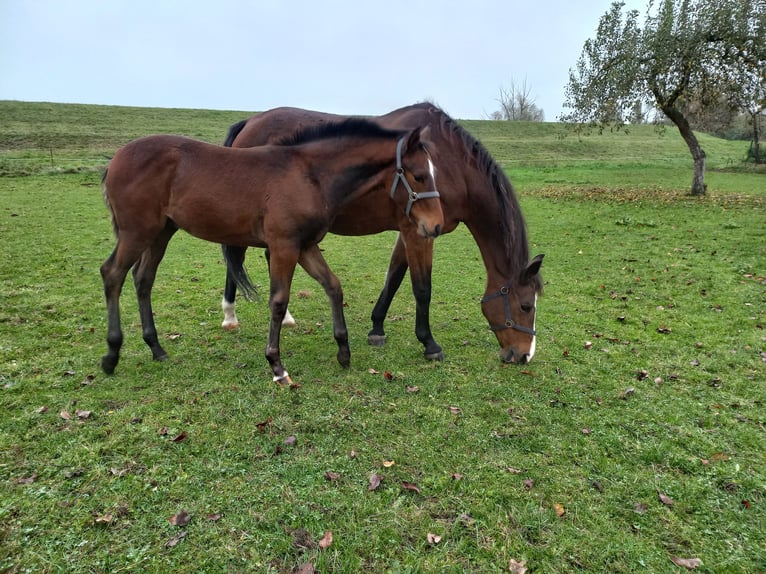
{"x":474,"y":190}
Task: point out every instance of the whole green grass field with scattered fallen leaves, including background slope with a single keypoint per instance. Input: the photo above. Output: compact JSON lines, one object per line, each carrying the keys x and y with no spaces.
{"x":635,"y":438}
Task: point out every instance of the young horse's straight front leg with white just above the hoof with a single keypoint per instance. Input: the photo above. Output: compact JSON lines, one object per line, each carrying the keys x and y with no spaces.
{"x":281,"y":276}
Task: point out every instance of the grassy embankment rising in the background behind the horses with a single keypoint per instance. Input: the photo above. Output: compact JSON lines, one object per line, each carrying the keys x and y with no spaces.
{"x":45,"y":137}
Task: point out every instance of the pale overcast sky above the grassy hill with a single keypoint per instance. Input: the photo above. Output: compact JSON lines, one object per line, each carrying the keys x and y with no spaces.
{"x":351,"y":57}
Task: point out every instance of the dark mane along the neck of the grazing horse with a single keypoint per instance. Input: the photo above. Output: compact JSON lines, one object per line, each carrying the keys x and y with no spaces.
{"x":509,"y":210}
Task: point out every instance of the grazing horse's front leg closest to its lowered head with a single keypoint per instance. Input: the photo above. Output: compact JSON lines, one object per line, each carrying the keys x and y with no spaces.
{"x":419,"y":255}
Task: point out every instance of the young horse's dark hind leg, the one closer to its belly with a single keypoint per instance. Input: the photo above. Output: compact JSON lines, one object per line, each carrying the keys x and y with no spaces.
{"x":144,"y":274}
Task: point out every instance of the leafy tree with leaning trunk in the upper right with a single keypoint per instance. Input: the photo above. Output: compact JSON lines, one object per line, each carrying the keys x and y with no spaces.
{"x":699,"y":51}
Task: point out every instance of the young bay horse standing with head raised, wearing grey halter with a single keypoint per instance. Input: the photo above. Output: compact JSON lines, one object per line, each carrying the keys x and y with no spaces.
{"x":284,"y":197}
